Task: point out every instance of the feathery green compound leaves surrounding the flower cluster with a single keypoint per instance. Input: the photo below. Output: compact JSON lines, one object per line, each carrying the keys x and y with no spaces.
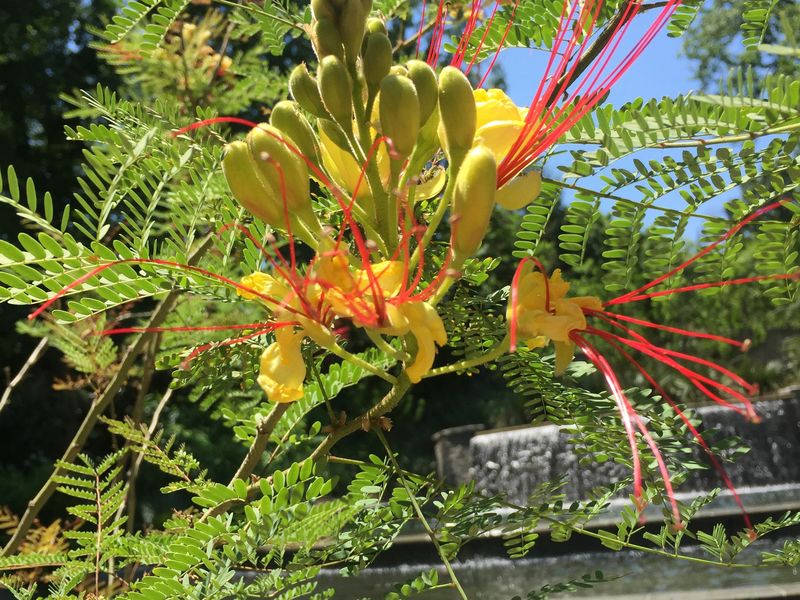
{"x":153,"y":216}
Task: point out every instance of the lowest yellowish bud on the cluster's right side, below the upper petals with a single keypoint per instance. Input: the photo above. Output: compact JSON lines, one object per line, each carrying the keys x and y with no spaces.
{"x":473,"y":201}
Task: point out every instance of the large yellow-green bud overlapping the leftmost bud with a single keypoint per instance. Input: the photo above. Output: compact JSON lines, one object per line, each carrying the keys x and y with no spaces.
{"x":280,"y":167}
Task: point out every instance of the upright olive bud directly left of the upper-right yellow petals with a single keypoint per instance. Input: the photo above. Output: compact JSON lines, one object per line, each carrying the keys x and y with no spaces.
{"x":458,"y":113}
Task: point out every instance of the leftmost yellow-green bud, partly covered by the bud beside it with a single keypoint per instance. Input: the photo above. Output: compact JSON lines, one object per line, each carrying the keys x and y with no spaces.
{"x":247,"y":186}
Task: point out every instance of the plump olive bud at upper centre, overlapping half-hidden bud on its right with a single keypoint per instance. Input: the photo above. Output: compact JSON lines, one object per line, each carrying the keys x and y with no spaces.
{"x":399,"y":110}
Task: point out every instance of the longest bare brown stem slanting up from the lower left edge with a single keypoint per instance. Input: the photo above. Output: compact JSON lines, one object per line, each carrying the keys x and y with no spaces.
{"x":99,"y":407}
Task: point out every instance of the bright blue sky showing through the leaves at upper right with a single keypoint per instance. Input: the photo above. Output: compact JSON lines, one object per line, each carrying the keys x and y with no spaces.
{"x":660,"y":71}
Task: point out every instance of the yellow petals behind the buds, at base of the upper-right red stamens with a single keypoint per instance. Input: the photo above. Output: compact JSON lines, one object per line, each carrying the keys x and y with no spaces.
{"x":499,"y":124}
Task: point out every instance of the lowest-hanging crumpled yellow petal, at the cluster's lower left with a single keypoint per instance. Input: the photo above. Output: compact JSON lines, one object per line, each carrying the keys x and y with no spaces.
{"x":282,"y":367}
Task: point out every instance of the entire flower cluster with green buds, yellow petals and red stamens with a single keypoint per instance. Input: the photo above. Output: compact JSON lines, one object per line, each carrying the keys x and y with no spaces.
{"x":379,"y":137}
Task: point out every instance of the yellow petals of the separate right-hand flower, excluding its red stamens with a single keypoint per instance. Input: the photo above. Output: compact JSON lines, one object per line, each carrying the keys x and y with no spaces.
{"x":539,"y":322}
